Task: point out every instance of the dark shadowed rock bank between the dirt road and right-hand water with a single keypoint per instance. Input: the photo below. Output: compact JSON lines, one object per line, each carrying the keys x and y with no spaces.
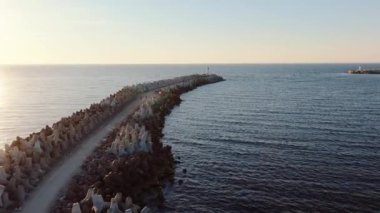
{"x":115,"y":179}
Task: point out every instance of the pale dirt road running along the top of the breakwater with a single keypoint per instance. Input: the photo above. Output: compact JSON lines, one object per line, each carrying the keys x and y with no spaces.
{"x":48,"y":189}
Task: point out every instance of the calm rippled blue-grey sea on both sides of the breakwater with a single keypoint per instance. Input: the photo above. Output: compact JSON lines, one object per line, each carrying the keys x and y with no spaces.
{"x":270,"y":138}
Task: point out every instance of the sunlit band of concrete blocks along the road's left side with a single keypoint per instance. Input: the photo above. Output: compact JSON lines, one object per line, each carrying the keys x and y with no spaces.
{"x":25,"y":162}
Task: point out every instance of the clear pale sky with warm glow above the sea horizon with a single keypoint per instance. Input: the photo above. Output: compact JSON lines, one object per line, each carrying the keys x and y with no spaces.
{"x":189,"y":31}
